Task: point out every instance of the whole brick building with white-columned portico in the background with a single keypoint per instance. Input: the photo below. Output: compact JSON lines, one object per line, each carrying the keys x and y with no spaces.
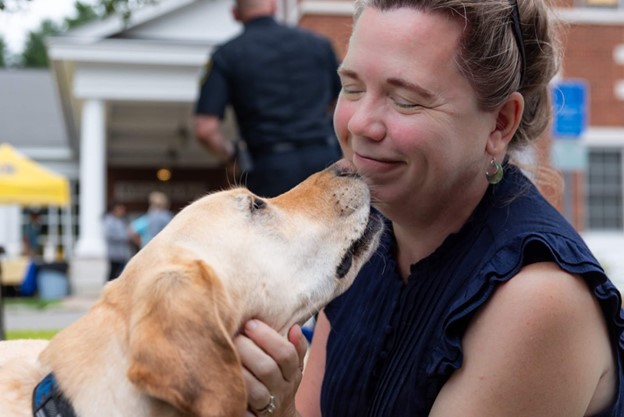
{"x":126,"y":92}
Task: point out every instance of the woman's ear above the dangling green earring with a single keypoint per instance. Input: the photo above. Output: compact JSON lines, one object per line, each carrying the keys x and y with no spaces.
{"x":507,"y":121}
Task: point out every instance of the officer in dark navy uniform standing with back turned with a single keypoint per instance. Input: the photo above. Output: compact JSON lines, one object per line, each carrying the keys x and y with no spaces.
{"x":281,"y":82}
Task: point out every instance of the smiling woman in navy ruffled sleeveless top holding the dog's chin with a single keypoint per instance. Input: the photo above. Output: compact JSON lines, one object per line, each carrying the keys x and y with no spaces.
{"x":482,"y":300}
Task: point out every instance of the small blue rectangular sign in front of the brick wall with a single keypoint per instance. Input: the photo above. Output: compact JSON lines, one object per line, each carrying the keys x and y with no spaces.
{"x":569,"y":109}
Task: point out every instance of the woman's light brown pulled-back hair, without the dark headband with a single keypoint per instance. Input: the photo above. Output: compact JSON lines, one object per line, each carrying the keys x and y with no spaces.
{"x":489,"y":56}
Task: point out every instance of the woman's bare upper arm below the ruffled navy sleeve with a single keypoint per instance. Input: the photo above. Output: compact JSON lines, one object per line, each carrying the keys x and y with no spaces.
{"x":539,"y":348}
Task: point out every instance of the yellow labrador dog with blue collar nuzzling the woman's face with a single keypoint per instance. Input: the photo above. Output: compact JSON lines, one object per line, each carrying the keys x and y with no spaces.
{"x":159,"y":340}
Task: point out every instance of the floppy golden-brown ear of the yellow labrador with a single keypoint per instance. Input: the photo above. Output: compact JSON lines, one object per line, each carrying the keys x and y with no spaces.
{"x":181,"y":350}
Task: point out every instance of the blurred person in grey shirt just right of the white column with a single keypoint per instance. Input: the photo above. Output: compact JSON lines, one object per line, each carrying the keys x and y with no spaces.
{"x":118,"y":242}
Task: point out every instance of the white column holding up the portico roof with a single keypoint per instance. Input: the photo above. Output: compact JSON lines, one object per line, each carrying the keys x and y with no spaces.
{"x":88,"y":269}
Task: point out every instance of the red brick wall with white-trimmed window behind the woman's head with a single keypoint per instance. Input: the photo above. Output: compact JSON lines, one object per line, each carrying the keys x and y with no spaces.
{"x":591,"y":164}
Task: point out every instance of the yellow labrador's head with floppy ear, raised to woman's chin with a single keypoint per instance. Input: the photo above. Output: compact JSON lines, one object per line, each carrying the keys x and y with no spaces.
{"x":232,"y":256}
